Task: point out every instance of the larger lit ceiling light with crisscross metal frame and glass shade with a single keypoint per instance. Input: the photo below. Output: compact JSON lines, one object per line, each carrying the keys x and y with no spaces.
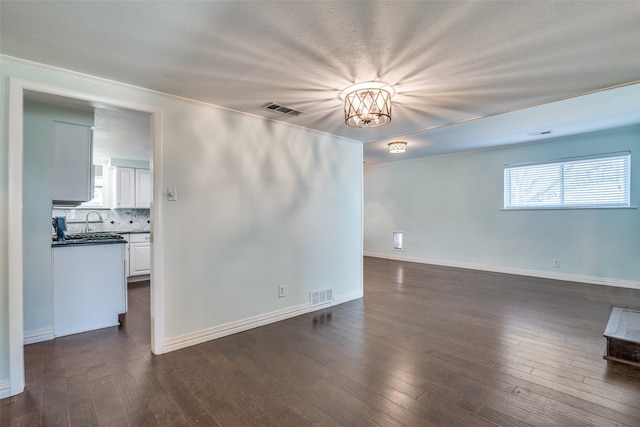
{"x":367,"y":104}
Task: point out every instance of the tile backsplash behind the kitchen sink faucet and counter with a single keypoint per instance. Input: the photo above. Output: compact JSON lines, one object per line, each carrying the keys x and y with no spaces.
{"x":113,"y":220}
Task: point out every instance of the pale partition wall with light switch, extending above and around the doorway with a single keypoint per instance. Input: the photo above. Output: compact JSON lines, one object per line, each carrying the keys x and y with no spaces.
{"x":259,"y":204}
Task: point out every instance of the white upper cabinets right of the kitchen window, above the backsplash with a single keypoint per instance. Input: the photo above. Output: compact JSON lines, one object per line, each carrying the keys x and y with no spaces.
{"x":130,"y":188}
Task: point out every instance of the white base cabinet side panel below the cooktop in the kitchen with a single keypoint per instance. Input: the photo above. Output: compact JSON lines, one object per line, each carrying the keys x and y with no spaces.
{"x":89,"y":287}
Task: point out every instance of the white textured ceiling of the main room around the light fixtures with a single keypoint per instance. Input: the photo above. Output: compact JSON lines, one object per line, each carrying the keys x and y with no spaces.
{"x":468,"y":75}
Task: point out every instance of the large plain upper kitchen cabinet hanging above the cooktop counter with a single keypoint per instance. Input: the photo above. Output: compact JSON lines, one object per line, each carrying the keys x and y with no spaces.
{"x":72,"y":159}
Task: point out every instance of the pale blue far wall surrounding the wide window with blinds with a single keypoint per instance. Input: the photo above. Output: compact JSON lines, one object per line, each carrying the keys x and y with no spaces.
{"x":449,"y":209}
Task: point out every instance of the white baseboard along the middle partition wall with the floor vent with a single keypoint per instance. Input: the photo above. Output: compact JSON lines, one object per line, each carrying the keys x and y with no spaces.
{"x":209,"y":334}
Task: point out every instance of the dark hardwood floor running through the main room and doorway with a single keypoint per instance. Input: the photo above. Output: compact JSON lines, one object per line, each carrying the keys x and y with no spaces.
{"x":427,"y":346}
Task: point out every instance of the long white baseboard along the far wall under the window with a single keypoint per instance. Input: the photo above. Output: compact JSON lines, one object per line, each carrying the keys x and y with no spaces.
{"x":592,"y":280}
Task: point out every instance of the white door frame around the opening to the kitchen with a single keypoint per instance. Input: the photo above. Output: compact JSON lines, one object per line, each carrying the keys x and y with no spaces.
{"x":17,"y":89}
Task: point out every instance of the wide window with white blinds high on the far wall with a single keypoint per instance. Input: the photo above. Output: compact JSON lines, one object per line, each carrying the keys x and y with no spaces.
{"x":600,"y":181}
